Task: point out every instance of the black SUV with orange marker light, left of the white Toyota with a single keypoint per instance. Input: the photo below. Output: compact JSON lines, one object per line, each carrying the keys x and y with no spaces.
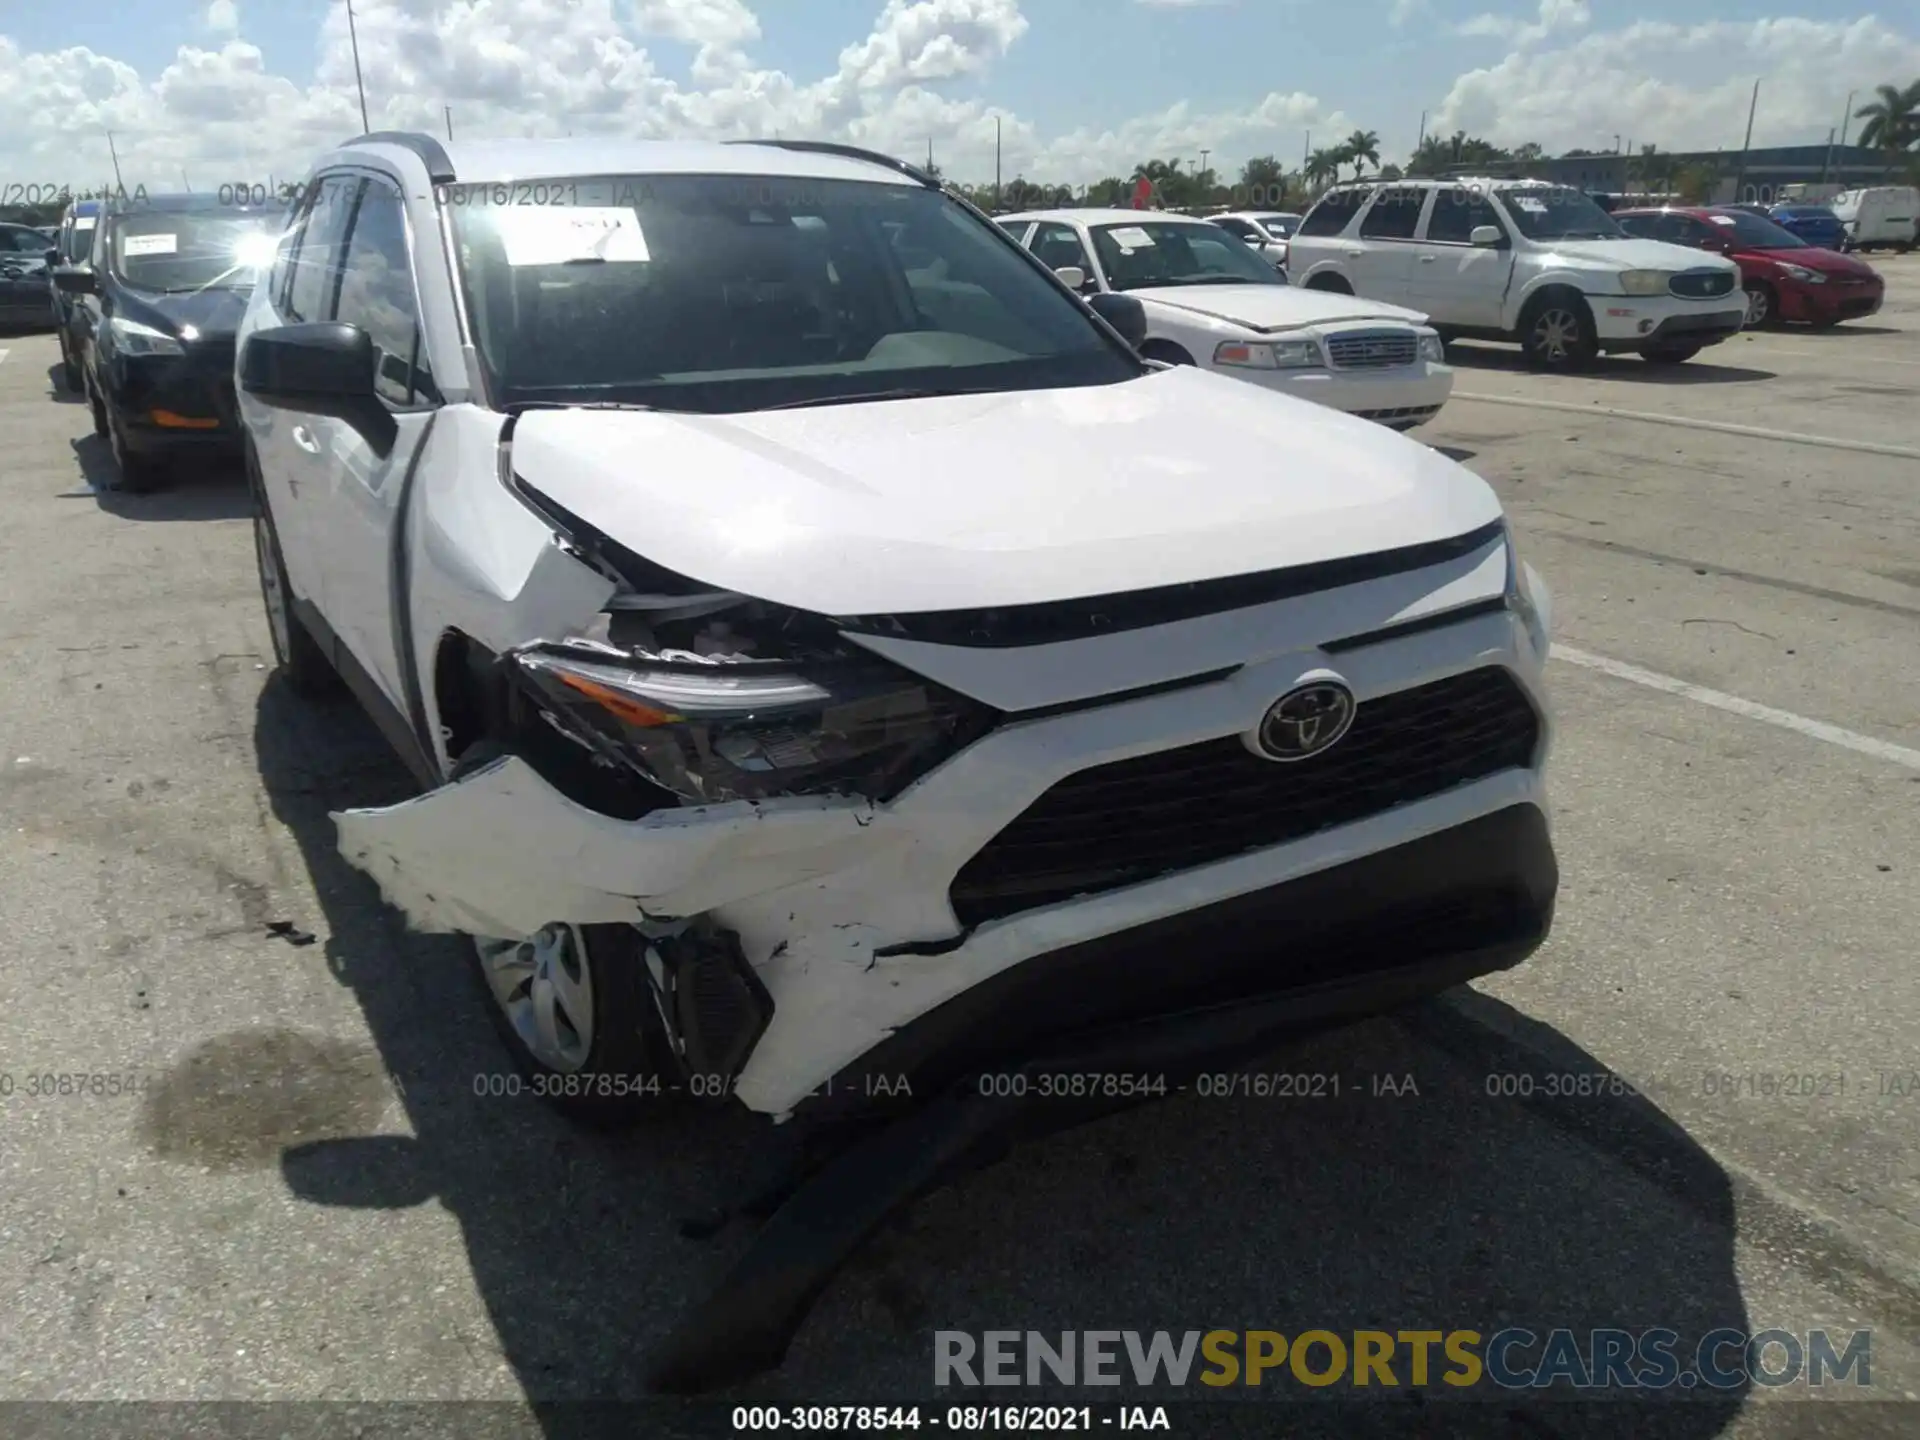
{"x":164,"y":293}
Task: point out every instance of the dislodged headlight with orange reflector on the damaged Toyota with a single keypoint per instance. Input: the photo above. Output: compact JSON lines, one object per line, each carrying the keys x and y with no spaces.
{"x":736,"y":729}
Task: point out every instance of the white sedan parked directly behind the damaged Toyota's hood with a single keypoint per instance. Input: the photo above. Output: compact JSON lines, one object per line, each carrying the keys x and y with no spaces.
{"x":1212,"y":302}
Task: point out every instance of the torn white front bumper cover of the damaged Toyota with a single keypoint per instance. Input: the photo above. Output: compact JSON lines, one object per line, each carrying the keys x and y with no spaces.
{"x":844,"y":909}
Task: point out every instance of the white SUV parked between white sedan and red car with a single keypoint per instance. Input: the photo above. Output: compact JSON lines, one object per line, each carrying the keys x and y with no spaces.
{"x":1518,"y":260}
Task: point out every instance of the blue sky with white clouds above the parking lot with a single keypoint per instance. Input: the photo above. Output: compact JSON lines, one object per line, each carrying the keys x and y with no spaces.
{"x":1080,"y":87}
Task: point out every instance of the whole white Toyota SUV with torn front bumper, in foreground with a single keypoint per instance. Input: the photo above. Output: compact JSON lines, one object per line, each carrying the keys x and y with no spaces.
{"x":869,"y":692}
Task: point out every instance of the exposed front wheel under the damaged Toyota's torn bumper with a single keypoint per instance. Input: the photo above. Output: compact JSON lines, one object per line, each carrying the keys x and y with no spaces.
{"x":612,"y":1076}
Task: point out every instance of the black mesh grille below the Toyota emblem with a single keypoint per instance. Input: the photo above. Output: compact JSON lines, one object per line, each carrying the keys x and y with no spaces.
{"x":1132,"y":821}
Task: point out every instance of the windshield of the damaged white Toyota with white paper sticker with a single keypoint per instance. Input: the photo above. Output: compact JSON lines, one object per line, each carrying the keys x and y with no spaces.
{"x":740,"y":293}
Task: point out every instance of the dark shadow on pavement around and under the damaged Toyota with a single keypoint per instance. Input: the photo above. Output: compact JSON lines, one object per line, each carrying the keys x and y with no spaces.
{"x":1433,"y":1207}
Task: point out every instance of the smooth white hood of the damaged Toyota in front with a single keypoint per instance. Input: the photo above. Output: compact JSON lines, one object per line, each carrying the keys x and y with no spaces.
{"x":999,"y":500}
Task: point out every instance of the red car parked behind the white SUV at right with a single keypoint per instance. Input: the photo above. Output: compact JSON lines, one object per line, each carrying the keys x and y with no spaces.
{"x":1785,"y":277}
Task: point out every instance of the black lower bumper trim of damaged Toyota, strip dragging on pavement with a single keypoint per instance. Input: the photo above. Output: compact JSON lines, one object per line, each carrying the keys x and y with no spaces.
{"x":1170,"y":999}
